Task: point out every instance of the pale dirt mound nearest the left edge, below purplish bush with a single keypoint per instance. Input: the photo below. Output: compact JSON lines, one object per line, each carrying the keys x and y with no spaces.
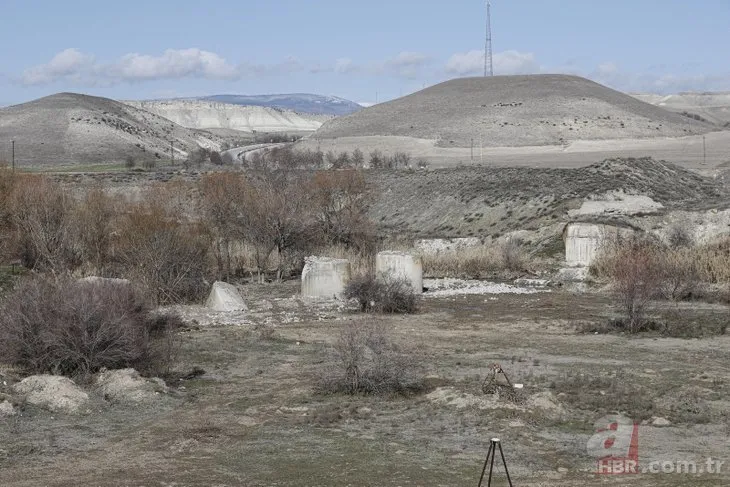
{"x":52,"y":392}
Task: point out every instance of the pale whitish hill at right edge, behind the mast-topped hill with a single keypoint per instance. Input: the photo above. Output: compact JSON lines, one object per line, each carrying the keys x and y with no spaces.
{"x":713,"y":107}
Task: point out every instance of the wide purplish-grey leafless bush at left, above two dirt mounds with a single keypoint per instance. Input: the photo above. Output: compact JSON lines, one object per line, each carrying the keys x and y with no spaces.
{"x":75,"y":328}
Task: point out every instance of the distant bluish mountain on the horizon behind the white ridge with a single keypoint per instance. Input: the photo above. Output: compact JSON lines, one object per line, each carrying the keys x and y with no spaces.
{"x":298,"y":102}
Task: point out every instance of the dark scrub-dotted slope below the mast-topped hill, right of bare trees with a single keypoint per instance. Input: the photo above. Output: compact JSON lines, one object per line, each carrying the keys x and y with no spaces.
{"x":489,"y":201}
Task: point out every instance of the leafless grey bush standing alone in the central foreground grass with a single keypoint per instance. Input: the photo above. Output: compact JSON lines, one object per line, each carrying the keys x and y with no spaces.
{"x":365,"y":360}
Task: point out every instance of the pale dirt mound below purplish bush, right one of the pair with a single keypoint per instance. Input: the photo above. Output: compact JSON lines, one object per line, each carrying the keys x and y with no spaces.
{"x":127,"y":386}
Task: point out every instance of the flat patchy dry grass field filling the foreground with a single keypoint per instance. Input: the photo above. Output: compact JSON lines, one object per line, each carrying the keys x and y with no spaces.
{"x":255,"y":417}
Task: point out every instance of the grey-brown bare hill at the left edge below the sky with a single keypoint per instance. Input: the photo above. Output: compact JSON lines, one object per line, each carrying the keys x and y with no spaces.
{"x":69,"y":128}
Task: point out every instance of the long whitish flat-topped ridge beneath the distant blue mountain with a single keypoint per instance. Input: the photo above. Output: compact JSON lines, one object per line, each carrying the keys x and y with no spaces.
{"x":201,"y":114}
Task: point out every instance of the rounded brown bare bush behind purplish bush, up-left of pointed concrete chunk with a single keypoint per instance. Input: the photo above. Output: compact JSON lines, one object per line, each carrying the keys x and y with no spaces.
{"x":167,"y":258}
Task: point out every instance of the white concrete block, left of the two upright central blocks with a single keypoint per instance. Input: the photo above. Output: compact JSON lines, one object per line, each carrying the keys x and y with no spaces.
{"x":324,"y":277}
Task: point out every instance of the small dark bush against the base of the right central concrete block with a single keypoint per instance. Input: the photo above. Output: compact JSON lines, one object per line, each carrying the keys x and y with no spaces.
{"x":382,"y":294}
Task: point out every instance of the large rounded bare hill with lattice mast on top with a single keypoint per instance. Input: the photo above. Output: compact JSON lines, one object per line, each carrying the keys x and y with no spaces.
{"x":507,"y":111}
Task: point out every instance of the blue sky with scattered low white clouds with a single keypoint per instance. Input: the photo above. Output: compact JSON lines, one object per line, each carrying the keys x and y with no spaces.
{"x":364,"y":51}
